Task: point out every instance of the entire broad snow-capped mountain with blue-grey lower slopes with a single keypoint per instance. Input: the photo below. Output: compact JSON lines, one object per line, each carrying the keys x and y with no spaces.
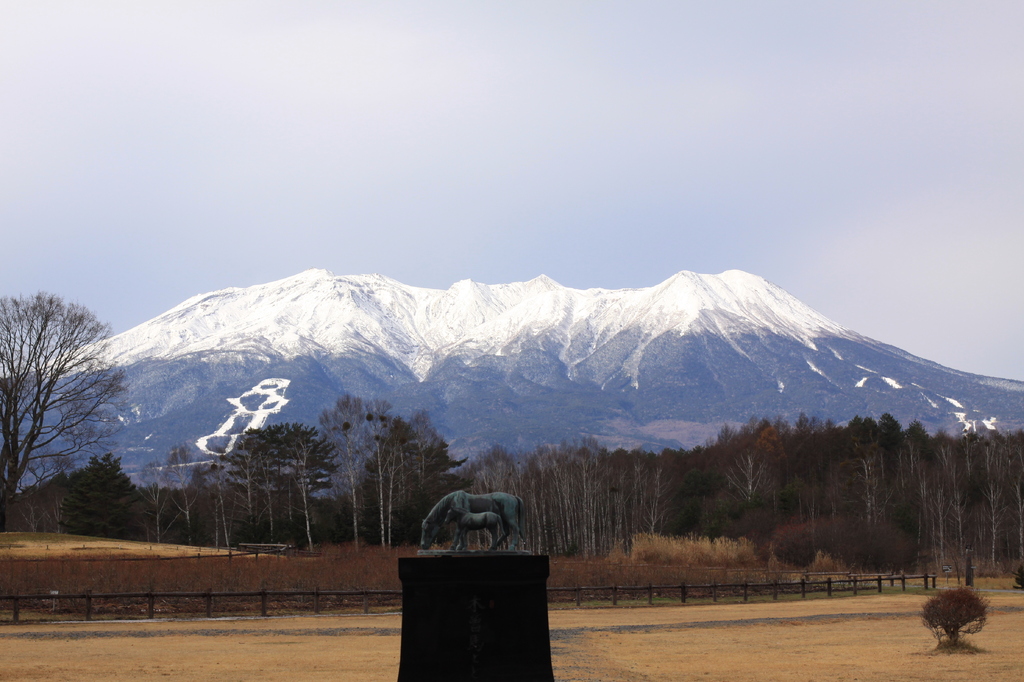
{"x":528,"y":363}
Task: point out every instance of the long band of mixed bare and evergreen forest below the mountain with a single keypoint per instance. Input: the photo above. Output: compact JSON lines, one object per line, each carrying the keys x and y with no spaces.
{"x":873,"y":494}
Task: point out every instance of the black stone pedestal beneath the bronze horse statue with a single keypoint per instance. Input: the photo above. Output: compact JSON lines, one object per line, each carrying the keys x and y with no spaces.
{"x":475,"y":618}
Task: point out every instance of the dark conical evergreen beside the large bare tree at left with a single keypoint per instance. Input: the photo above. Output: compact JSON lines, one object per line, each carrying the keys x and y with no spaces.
{"x":100,"y":501}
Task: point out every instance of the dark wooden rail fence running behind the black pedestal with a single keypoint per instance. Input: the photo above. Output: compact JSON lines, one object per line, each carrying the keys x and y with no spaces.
{"x":579,"y":594}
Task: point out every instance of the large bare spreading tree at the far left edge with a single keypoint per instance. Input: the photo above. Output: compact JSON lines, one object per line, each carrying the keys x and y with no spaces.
{"x":59,"y":393}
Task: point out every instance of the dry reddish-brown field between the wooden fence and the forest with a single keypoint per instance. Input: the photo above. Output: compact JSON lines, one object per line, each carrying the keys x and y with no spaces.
{"x":44,"y":563}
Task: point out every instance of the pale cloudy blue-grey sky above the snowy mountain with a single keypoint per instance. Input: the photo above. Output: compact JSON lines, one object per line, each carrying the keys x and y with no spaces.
{"x":867,"y":157}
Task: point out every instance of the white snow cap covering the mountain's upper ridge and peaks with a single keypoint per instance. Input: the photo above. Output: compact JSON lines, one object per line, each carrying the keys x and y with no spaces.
{"x":317,"y":312}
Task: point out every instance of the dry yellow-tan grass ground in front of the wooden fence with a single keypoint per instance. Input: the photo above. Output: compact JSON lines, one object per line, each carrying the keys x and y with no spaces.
{"x":873,"y":637}
